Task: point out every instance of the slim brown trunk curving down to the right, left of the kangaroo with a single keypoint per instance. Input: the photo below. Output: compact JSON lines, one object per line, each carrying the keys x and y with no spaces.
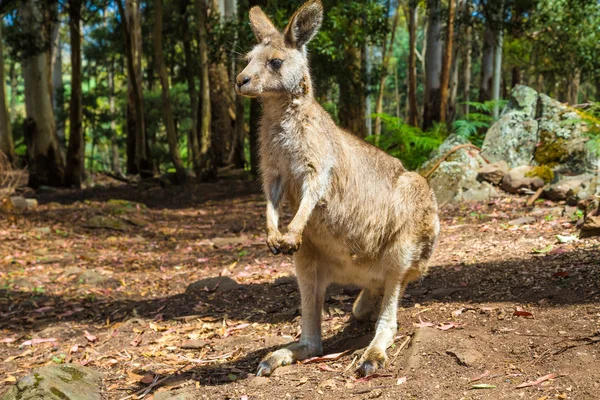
{"x":167,"y":108}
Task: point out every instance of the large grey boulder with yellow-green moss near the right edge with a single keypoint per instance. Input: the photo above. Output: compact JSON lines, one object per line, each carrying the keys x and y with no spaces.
{"x":563,"y":142}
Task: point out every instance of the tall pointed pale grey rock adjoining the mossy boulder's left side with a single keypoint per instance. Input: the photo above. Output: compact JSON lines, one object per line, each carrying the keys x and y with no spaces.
{"x":513,"y":137}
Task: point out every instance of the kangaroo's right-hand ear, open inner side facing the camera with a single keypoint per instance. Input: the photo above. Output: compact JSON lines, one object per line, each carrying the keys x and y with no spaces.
{"x":304,"y":24}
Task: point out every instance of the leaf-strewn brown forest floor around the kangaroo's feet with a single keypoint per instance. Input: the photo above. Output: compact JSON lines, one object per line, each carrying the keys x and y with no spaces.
{"x":503,"y":305}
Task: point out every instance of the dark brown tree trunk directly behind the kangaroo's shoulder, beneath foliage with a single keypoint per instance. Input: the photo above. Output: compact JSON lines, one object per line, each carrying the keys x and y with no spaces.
{"x":353,"y":93}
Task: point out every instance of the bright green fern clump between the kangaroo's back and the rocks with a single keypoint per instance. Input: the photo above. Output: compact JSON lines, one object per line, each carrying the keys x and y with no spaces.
{"x":406,"y":142}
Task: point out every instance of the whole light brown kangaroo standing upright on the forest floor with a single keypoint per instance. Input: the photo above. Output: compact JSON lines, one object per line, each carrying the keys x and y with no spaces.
{"x":360,"y":217}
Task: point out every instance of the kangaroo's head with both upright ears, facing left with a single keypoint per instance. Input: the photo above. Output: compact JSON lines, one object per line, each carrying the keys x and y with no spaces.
{"x":278,"y":64}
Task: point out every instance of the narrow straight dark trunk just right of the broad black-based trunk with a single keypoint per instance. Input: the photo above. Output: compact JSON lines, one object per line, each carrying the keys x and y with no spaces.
{"x":75,"y":152}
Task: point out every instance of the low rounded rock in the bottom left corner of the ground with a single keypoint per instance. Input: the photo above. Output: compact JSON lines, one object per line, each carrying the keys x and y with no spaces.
{"x":57,"y":382}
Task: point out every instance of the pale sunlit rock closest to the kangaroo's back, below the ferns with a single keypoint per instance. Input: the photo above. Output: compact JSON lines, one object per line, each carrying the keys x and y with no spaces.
{"x":457,"y":174}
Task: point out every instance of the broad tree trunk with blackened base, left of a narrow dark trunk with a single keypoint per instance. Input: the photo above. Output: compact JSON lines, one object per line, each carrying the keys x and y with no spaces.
{"x":47,"y":167}
